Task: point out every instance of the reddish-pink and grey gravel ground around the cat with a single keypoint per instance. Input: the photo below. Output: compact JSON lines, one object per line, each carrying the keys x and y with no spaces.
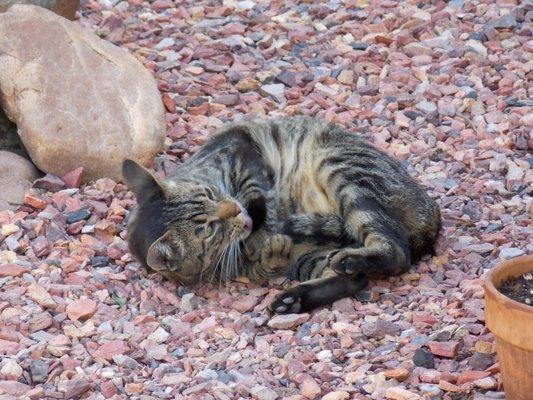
{"x":442,"y":86}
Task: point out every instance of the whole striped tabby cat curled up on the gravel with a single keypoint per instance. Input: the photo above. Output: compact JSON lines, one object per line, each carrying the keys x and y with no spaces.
{"x":298,"y":197}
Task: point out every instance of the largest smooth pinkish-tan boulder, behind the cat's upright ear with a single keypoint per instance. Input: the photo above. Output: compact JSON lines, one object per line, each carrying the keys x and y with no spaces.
{"x":76,"y":99}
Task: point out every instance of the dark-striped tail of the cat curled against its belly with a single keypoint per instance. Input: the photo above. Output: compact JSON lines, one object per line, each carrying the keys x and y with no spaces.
{"x":316,"y":228}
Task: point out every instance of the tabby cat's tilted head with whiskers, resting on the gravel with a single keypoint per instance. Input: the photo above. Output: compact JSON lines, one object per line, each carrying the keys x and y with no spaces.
{"x":181,"y":228}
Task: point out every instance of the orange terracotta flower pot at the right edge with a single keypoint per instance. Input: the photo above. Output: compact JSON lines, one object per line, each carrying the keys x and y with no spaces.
{"x":511,"y":323}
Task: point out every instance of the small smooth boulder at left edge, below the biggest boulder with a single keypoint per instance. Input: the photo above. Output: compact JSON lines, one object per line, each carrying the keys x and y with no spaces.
{"x":16,"y":177}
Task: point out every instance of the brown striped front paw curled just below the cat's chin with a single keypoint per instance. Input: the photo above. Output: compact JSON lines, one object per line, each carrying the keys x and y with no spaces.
{"x":268,"y":255}
